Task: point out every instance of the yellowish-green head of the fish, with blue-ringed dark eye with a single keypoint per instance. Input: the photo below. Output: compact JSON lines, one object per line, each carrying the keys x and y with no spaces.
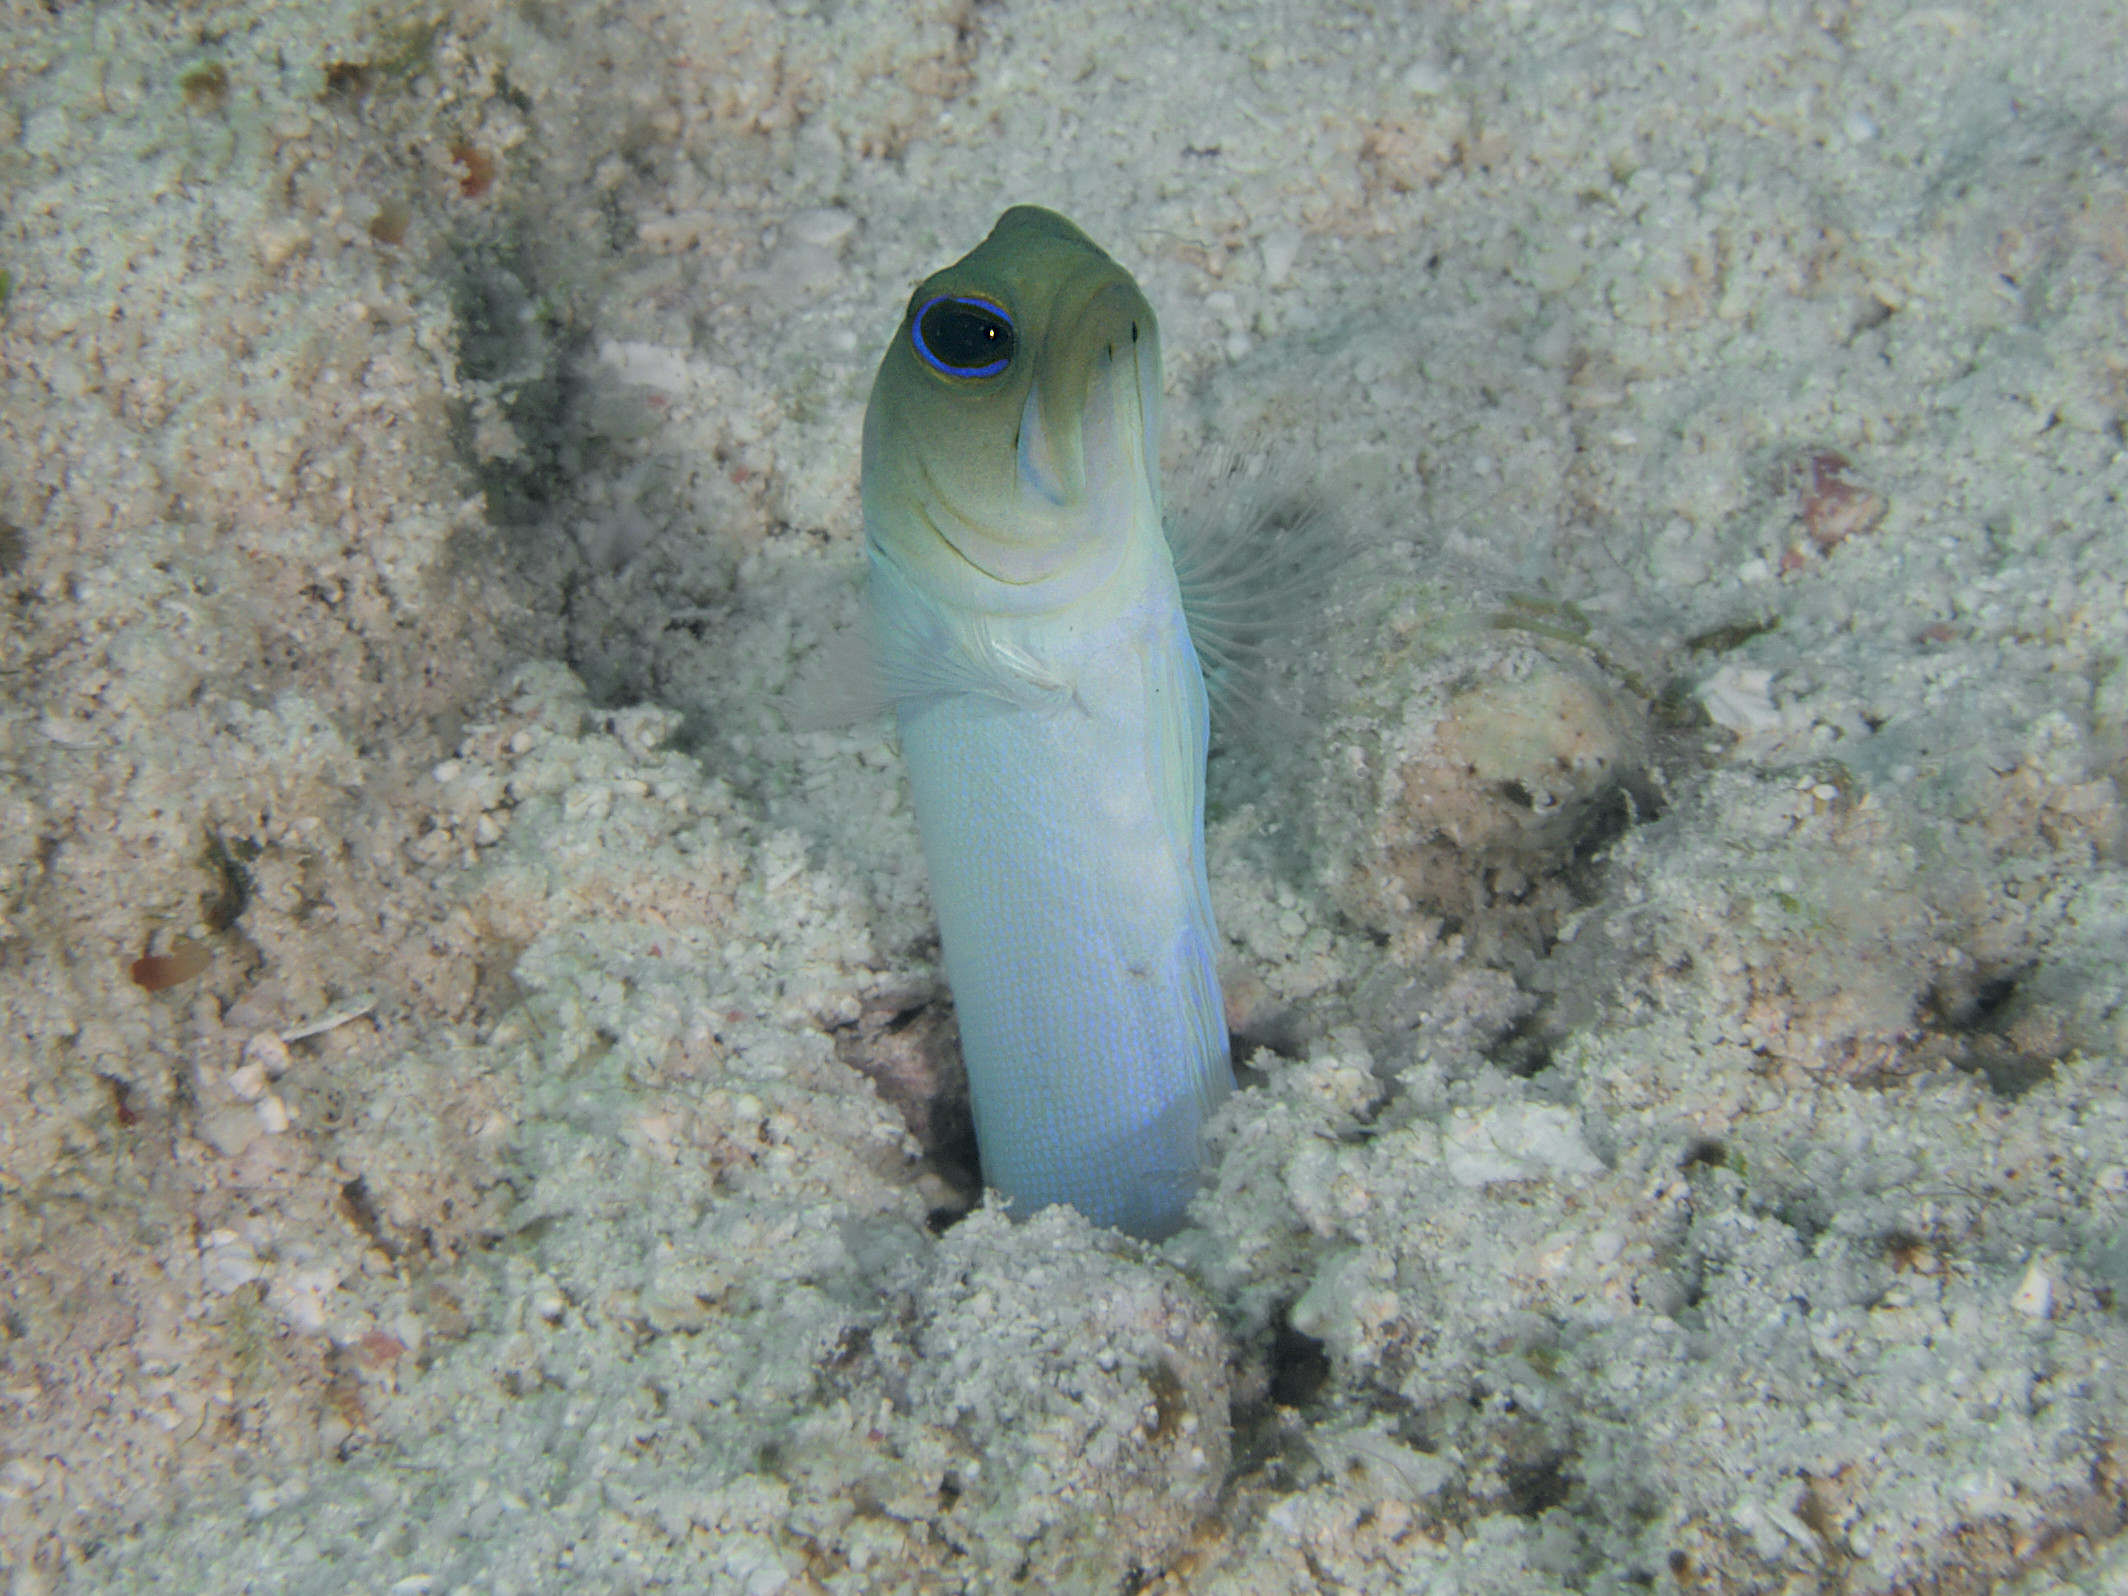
{"x":1012,"y":444}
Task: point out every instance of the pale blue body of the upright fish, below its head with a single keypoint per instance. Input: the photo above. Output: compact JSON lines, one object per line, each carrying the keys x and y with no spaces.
{"x":1063,"y":825}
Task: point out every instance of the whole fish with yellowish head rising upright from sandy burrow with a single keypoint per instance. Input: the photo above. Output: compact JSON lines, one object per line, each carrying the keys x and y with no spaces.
{"x":1031,"y":637}
